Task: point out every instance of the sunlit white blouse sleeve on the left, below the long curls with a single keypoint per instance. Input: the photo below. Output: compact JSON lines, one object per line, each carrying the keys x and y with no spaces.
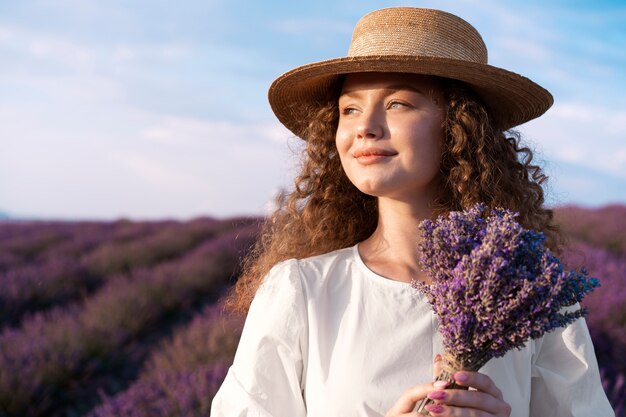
{"x":267,"y":373}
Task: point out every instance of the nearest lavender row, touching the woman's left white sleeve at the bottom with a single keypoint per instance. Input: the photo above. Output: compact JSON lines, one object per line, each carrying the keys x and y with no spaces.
{"x":182,"y":376}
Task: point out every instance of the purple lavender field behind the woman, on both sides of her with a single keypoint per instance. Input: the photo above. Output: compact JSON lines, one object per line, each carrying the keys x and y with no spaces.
{"x":104,"y":319}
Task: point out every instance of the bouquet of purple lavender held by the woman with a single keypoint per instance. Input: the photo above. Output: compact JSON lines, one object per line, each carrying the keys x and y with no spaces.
{"x":494,"y":286}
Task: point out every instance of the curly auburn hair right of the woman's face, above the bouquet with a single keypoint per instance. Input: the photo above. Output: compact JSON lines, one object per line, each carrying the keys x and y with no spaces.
{"x":482,"y":163}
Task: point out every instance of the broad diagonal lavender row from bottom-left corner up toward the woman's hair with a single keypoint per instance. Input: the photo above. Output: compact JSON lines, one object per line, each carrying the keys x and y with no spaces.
{"x":43,"y":358}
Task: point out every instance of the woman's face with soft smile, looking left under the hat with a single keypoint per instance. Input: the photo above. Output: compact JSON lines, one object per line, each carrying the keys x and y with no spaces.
{"x":390,"y":133}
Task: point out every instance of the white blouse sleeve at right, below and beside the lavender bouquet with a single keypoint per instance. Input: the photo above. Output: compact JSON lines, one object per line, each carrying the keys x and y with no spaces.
{"x":565,"y":376}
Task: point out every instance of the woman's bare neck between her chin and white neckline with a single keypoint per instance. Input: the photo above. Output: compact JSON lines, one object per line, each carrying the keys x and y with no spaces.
{"x":391,"y":251}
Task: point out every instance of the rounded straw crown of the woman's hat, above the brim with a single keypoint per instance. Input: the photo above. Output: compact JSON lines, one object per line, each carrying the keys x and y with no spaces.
{"x":417,"y":32}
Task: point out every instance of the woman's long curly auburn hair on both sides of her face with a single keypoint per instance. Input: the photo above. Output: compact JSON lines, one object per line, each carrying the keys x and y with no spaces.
{"x":325,"y":211}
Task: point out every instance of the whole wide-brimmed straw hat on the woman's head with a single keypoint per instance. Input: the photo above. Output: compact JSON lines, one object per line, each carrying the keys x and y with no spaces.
{"x":418,"y":41}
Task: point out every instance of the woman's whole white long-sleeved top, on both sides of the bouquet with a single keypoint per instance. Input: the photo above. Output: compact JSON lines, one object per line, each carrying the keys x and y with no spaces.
{"x":326,"y":336}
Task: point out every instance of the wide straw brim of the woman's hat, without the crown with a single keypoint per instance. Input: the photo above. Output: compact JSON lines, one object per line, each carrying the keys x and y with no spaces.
{"x":511,"y":98}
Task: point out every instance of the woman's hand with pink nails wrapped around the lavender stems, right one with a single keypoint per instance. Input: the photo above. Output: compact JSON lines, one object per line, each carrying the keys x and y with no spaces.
{"x":485,"y":400}
